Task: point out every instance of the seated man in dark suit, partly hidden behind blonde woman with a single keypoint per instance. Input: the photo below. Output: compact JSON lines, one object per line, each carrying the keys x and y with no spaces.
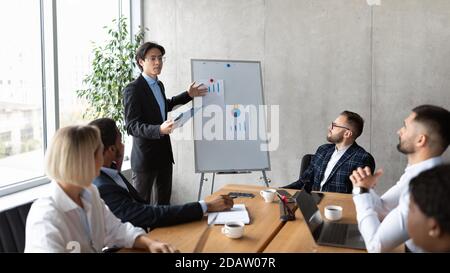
{"x":123,"y":199}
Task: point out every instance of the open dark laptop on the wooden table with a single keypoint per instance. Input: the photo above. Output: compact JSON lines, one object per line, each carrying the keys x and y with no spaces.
{"x":324,"y":232}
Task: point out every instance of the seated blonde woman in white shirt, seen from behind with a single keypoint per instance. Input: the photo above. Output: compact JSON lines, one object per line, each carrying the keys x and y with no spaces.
{"x":73,"y":218}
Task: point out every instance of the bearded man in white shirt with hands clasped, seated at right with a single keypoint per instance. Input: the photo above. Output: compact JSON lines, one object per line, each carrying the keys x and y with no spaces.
{"x":382,"y":220}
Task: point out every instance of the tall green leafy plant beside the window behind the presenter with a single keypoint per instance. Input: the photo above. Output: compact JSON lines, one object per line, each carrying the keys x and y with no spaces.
{"x":113,"y":67}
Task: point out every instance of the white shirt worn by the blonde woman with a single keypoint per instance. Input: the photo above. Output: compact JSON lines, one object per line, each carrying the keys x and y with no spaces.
{"x":57,"y":224}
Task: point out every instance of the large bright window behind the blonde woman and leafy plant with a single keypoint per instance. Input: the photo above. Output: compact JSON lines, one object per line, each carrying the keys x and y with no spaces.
{"x":40,"y":70}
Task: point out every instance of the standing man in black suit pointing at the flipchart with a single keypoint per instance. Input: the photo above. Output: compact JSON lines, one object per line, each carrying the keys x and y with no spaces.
{"x":146,"y":108}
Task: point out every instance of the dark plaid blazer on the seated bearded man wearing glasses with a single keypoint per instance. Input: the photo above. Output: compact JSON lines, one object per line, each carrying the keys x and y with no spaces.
{"x":338,"y":180}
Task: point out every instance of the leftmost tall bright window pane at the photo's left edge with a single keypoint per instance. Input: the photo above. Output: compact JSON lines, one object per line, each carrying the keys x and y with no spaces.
{"x":21,"y":121}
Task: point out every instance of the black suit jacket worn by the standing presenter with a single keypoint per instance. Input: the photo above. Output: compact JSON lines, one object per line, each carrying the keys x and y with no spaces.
{"x":142,"y":120}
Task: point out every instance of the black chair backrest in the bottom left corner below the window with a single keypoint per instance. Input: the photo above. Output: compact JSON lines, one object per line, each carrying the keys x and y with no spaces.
{"x":12,"y":228}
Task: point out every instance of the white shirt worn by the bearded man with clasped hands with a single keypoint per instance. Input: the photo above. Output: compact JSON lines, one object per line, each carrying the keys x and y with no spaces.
{"x":393,"y":207}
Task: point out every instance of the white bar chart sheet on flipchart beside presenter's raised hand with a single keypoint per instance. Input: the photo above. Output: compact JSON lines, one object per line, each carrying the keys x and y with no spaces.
{"x":215,"y":95}
